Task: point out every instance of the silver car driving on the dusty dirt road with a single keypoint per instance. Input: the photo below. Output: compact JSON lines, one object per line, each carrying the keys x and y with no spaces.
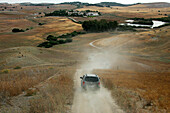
{"x":90,"y":81}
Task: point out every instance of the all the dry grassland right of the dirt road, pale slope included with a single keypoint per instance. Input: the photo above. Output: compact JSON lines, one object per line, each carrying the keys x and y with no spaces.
{"x":139,"y":89}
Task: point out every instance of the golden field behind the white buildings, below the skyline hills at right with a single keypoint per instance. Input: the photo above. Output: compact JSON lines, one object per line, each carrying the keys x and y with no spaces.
{"x":140,"y":11}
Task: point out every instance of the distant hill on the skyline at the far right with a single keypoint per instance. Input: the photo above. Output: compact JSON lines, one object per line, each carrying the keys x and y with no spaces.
{"x":157,"y":4}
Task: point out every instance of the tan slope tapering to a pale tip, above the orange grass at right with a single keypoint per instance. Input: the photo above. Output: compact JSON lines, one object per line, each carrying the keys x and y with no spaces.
{"x":152,"y":45}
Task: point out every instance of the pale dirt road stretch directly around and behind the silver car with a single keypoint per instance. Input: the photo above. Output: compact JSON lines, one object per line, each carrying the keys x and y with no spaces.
{"x":92,"y":101}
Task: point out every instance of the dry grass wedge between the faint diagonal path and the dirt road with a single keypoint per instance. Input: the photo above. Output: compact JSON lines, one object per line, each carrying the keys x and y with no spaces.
{"x":56,"y":96}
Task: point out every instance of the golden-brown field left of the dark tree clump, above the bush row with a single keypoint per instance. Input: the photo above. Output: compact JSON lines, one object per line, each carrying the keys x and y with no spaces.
{"x":53,"y":25}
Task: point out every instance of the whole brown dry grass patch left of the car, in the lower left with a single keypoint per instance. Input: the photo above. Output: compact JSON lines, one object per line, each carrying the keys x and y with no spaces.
{"x":44,"y":89}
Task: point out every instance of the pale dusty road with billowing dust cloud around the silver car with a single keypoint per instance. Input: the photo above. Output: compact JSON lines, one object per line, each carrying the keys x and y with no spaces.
{"x":99,"y":101}
